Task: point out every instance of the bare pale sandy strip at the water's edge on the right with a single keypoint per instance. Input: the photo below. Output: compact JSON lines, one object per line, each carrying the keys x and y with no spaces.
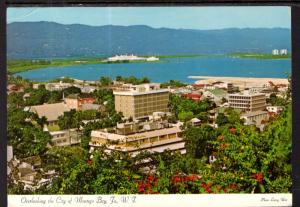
{"x":242,"y":82}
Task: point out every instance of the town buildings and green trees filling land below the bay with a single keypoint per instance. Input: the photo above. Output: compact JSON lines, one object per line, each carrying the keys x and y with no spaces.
{"x":71,"y":122}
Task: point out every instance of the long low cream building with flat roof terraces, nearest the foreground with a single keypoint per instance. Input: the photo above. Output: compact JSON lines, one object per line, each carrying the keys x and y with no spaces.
{"x":136,"y":137}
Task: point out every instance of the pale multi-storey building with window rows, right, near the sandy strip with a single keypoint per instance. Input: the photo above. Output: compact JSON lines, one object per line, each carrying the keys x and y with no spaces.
{"x":247,"y":101}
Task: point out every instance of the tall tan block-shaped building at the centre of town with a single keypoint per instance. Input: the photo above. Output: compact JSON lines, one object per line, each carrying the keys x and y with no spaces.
{"x":139,"y":101}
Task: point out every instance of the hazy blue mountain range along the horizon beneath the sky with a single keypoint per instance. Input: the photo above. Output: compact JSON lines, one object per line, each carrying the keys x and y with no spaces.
{"x":53,"y":40}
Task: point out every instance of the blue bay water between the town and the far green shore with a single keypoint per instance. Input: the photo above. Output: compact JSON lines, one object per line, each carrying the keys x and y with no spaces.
{"x":170,"y":69}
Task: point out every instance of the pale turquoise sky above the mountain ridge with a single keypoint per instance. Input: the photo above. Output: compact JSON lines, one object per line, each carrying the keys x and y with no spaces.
{"x":157,"y":17}
